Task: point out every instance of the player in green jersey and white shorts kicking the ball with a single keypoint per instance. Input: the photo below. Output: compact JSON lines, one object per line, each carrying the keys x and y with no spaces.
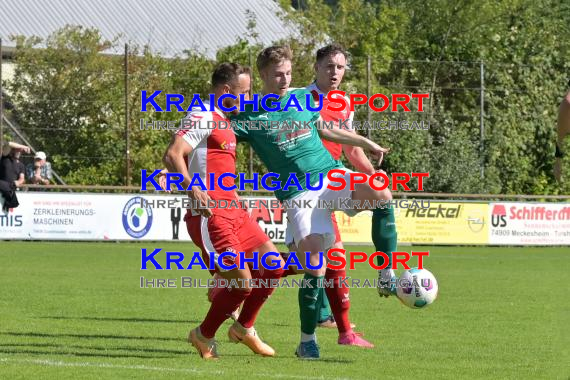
{"x":291,"y":149}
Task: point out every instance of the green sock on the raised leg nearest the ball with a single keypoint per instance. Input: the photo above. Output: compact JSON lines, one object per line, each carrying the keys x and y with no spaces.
{"x":384,"y":234}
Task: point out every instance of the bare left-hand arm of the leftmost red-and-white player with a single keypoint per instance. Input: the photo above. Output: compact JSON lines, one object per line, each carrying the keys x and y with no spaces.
{"x":175,"y":163}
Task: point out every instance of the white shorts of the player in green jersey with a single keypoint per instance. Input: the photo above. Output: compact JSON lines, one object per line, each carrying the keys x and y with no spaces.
{"x":311,"y":217}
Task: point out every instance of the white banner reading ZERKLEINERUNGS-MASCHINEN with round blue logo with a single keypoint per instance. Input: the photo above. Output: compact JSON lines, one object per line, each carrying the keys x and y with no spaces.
{"x":63,"y":216}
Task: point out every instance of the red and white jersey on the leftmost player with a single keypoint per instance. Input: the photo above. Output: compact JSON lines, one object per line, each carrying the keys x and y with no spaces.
{"x":213,"y":150}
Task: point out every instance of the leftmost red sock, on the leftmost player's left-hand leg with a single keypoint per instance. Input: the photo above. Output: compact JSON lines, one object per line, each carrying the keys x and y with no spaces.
{"x":225,"y":301}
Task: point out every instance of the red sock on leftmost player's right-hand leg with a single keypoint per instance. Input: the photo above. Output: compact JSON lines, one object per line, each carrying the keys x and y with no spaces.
{"x":258,"y":296}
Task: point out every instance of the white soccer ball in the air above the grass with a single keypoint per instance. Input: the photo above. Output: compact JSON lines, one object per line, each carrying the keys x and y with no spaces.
{"x":417,"y":288}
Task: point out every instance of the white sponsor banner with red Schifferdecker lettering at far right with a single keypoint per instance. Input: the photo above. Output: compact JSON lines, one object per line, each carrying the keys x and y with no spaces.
{"x":529,"y":223}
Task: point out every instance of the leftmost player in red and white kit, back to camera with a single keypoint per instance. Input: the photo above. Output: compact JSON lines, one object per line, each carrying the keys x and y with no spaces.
{"x":203,"y":150}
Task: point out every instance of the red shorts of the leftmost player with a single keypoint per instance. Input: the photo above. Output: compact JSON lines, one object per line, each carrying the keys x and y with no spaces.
{"x":230,"y":230}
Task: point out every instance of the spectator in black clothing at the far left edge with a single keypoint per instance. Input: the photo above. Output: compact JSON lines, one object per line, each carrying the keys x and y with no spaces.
{"x":11,"y":173}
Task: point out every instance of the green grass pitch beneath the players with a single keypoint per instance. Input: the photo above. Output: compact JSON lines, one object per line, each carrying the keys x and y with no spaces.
{"x":75,"y":310}
